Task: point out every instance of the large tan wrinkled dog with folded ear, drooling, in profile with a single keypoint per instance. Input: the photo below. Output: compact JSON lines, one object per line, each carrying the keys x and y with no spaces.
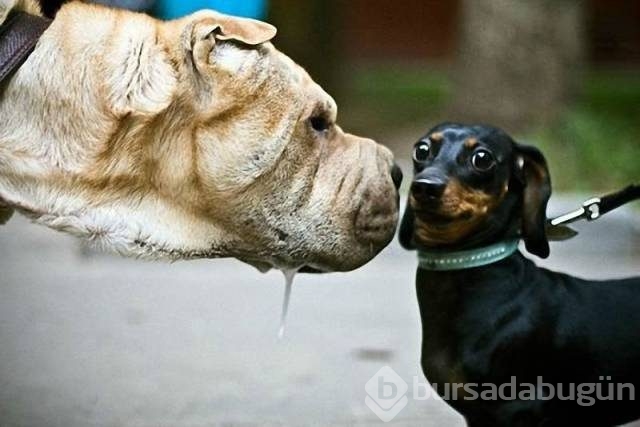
{"x":187,"y":139}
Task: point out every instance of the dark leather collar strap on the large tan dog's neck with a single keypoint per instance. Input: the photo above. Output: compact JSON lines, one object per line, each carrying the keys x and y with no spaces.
{"x":18,"y":37}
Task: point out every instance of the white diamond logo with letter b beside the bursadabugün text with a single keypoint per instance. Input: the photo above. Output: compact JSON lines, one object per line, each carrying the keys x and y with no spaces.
{"x":386,"y":394}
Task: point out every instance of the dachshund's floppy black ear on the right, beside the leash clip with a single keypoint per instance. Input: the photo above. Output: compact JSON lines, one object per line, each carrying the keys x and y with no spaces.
{"x":532,"y":172}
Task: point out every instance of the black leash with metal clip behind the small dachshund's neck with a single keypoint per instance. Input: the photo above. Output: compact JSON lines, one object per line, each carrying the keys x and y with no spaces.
{"x":591,"y":210}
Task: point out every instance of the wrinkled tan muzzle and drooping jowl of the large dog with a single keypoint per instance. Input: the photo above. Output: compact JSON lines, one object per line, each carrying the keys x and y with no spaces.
{"x":339,"y":220}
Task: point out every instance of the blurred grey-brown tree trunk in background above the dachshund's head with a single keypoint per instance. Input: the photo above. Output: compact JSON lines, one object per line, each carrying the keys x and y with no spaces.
{"x":518,"y":62}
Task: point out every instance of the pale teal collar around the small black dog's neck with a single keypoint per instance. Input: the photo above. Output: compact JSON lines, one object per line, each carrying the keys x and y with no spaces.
{"x":446,"y":261}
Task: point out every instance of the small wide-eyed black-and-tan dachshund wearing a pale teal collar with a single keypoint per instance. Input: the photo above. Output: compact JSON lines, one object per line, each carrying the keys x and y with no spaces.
{"x":489,"y":315}
